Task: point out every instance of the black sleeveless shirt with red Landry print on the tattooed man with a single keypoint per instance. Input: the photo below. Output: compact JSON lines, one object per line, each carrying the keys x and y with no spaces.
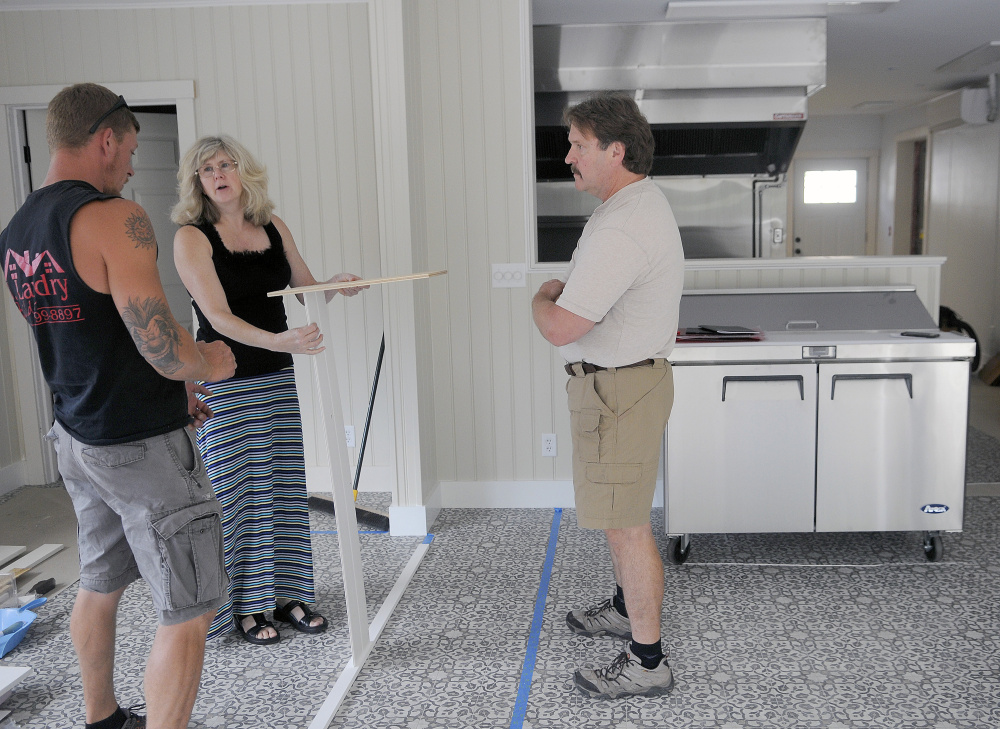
{"x":103,"y":391}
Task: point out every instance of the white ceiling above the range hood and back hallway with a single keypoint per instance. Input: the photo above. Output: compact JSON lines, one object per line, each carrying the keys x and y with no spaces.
{"x":891,"y":56}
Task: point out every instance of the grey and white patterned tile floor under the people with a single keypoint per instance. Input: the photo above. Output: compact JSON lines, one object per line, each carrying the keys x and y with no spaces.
{"x":839,"y":631}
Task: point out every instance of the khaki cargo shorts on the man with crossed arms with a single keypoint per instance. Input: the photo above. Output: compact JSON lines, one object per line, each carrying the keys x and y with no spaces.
{"x":617,"y":418}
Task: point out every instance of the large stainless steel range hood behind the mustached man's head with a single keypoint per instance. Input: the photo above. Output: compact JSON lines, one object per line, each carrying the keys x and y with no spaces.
{"x":723,"y":98}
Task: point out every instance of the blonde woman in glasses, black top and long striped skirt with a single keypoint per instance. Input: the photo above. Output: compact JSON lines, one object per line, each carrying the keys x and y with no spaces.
{"x":230,"y":252}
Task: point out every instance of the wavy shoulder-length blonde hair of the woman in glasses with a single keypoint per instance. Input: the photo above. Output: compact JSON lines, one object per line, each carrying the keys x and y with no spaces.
{"x":195,"y":207}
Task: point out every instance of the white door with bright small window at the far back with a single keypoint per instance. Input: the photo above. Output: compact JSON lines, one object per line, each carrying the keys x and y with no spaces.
{"x":830,"y":207}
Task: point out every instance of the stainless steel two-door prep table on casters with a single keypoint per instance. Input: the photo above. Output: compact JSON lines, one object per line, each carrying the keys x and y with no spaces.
{"x":834,"y":422}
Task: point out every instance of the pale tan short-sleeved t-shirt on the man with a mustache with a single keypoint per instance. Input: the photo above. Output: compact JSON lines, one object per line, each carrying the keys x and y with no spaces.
{"x":627,"y":275}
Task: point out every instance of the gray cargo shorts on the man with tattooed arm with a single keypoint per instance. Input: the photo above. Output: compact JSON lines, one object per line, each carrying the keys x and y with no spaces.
{"x":147,"y":508}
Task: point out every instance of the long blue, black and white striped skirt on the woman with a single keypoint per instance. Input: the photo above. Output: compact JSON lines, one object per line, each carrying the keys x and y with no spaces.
{"x":252,"y":448}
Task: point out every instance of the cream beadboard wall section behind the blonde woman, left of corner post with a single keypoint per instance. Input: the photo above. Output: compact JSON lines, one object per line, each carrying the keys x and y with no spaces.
{"x":292,"y":83}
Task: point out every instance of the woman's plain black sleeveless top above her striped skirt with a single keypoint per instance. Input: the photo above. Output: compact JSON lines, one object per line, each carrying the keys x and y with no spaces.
{"x":246,"y":278}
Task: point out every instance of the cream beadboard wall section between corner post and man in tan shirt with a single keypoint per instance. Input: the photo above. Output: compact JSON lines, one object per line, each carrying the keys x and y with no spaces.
{"x":496,"y":387}
